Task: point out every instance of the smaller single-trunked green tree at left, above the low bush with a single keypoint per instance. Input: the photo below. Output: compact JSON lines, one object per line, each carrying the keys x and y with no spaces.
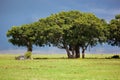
{"x":28,"y":35}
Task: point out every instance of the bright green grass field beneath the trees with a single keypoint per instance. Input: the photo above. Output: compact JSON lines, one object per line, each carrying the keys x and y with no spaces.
{"x":57,"y":67}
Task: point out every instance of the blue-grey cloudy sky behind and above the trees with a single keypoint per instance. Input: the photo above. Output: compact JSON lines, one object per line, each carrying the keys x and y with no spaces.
{"x":18,"y":12}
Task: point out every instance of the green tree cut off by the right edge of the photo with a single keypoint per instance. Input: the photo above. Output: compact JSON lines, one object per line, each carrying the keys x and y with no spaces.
{"x":114,"y":31}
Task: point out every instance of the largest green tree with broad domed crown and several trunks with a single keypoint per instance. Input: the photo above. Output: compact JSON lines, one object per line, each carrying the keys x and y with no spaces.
{"x":73,"y":30}
